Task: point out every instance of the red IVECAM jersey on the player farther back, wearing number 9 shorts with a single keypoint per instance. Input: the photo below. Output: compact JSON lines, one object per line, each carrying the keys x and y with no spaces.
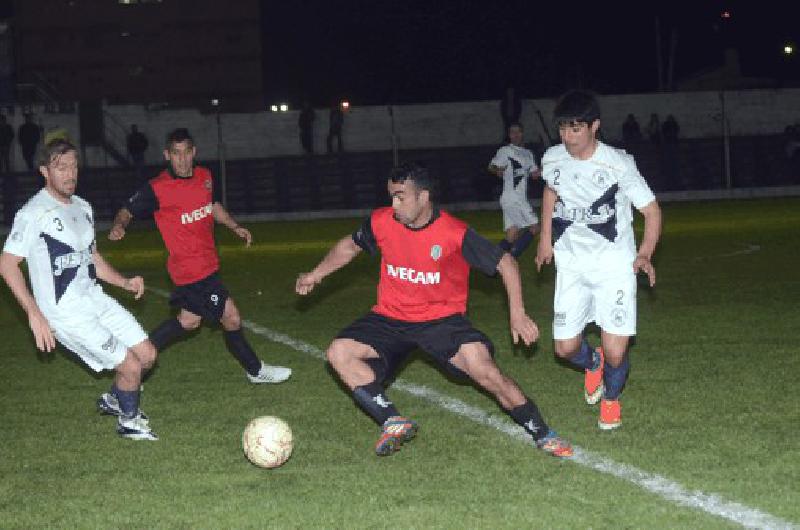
{"x":182,"y":209}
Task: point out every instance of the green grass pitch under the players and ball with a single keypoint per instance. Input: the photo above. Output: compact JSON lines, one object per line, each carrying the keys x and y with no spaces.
{"x":710,"y":415}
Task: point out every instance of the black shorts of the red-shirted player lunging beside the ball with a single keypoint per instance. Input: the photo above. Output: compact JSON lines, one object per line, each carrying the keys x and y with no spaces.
{"x":395,"y":339}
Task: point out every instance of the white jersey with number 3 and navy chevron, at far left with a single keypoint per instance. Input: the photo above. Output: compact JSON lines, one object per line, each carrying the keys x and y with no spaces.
{"x":57,"y":241}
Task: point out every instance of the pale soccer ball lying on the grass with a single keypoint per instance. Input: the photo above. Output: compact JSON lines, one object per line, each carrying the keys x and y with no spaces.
{"x":267,"y":441}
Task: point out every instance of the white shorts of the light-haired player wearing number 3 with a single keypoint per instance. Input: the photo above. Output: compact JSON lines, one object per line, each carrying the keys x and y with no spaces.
{"x":100,"y":333}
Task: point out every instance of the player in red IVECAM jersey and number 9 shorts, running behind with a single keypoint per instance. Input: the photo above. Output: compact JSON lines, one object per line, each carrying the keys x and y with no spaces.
{"x":181,"y":201}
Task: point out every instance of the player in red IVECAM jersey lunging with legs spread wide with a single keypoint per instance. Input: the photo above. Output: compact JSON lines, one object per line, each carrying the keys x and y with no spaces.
{"x":422,"y":299}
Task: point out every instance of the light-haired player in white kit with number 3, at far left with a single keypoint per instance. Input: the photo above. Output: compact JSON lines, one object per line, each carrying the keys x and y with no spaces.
{"x":54,"y":233}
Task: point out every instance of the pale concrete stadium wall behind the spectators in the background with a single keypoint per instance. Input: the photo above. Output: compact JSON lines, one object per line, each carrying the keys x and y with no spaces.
{"x":369,"y":128}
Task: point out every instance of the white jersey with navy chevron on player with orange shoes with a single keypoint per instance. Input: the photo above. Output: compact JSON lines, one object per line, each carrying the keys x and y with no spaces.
{"x":592,"y":218}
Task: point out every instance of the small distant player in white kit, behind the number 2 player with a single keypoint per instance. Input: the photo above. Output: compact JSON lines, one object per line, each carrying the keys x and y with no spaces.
{"x":515,"y":165}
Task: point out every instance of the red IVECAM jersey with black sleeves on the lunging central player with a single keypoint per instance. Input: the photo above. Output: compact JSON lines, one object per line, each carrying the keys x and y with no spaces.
{"x":424,"y":271}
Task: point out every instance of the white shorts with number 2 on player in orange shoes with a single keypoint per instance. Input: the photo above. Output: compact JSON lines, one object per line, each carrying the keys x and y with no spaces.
{"x":606,"y":298}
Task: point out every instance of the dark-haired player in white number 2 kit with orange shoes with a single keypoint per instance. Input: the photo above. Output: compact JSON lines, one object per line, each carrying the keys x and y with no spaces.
{"x":587,"y":224}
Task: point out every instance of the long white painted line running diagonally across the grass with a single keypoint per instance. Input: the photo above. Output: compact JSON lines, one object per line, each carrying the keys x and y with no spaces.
{"x":657,"y":484}
